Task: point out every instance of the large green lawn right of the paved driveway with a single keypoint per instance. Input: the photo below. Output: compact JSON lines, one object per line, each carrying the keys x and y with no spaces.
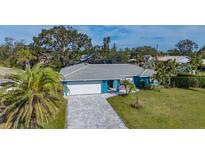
{"x":167,"y":108}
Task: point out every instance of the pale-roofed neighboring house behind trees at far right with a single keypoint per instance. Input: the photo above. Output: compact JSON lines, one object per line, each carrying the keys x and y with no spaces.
{"x":179,"y":59}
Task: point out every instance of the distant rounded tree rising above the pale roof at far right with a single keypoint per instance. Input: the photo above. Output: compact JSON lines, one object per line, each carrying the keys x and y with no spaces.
{"x":186,"y":47}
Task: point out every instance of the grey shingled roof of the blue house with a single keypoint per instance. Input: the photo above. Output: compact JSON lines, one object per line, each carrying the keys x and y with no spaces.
{"x":83,"y":71}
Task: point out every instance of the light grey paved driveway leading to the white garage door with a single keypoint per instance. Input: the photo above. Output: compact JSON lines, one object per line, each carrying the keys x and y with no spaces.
{"x":91,"y":112}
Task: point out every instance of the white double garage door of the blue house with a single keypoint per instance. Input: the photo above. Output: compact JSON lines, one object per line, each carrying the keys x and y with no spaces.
{"x":84,"y":87}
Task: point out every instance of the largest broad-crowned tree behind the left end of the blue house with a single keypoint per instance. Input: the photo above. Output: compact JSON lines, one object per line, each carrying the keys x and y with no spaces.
{"x":63,"y":40}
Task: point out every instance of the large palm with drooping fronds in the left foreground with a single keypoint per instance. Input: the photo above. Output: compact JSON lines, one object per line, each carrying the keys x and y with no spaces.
{"x":31,"y":98}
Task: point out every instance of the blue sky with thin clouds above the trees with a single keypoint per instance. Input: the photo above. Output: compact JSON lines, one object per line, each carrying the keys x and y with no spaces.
{"x":124,"y":36}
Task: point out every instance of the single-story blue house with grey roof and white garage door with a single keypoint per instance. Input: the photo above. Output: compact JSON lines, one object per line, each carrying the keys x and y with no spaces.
{"x":101,"y":78}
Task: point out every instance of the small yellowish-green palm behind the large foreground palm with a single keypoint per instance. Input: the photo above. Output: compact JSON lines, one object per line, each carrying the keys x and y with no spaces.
{"x":25,"y":56}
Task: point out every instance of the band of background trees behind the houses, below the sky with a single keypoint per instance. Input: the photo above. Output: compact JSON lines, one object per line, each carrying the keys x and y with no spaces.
{"x":61,"y":46}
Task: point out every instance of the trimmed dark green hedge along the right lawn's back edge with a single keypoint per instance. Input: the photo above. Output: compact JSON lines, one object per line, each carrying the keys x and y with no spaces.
{"x":188,"y":82}
